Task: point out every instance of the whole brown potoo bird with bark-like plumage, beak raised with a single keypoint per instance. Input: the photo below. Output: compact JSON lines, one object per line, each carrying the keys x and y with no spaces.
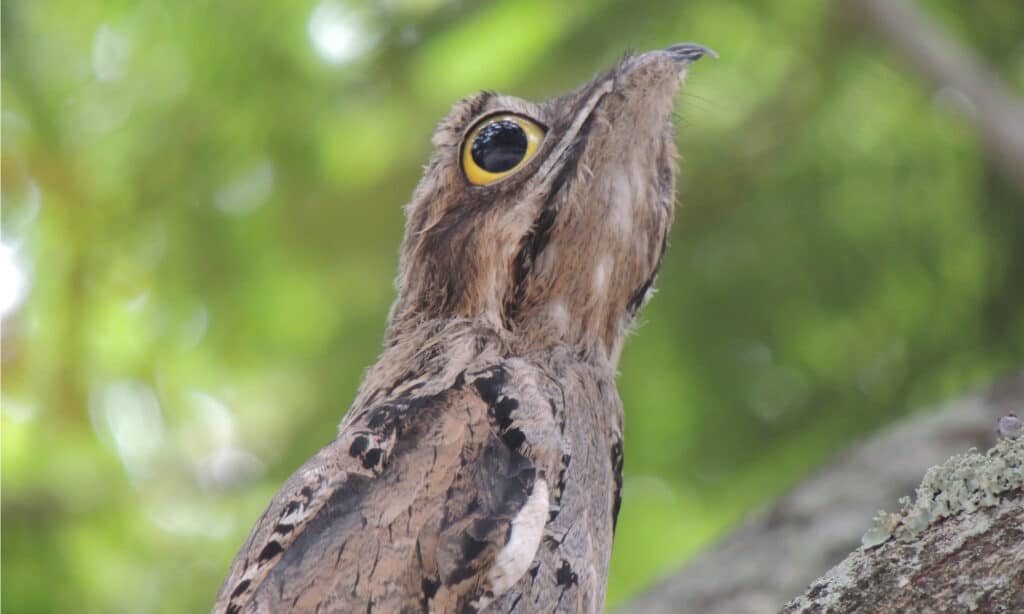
{"x":480,"y":468}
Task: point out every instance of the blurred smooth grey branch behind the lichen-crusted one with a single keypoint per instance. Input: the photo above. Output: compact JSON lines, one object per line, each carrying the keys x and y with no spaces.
{"x":780,"y":552}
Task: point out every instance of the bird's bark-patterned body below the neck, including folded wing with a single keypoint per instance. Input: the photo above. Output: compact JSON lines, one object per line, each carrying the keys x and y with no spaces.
{"x":486,"y":484}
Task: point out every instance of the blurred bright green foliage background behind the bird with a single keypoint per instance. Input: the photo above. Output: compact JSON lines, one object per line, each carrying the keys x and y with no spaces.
{"x":206,"y":211}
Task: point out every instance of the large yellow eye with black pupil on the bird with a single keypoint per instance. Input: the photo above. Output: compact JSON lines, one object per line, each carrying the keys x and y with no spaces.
{"x":498,"y":147}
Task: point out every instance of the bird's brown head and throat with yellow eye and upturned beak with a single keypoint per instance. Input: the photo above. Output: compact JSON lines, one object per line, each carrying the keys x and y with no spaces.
{"x":547,"y":222}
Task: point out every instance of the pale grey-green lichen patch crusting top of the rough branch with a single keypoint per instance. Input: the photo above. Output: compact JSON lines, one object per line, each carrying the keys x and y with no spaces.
{"x":962,"y":485}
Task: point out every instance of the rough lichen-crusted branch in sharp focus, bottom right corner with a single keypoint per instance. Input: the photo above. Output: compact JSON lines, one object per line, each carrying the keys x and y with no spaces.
{"x":959,"y":548}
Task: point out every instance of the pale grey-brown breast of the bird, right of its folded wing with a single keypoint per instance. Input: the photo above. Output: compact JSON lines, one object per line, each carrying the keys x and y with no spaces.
{"x":572,"y":423}
